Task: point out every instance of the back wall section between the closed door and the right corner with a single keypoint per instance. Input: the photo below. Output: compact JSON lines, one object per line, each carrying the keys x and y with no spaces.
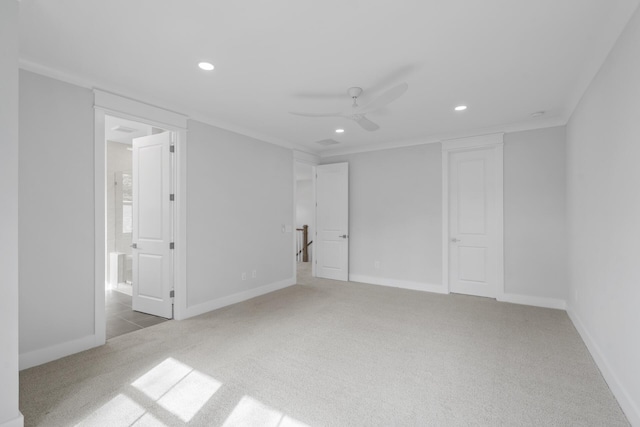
{"x":535,"y":255}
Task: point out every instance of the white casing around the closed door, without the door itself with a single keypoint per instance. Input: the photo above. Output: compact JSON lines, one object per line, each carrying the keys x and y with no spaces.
{"x":492,"y":141}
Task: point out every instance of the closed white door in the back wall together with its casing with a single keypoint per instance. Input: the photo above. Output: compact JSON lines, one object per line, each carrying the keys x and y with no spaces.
{"x":473,"y":220}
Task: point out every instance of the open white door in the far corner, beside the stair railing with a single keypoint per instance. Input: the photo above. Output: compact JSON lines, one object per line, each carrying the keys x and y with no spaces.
{"x":332,"y":221}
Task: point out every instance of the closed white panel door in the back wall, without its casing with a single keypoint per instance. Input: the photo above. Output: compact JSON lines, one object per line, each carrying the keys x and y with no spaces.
{"x":473,"y":262}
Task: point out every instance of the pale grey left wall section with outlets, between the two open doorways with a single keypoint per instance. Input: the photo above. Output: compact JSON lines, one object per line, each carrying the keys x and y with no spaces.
{"x":240,"y":194}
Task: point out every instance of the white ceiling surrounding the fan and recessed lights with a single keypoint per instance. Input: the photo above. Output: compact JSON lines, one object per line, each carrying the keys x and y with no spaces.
{"x":505,"y":59}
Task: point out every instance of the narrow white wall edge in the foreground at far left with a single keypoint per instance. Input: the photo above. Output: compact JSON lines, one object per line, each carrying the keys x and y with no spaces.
{"x":9,"y":413}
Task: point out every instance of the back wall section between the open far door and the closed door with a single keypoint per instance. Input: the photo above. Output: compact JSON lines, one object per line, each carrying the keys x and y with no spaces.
{"x":395,"y":215}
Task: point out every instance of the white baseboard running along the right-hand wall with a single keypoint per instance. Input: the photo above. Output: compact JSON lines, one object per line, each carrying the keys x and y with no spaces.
{"x":625,"y":400}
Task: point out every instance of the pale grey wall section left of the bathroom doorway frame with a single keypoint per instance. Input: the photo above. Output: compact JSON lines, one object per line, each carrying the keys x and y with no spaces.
{"x":56,"y":201}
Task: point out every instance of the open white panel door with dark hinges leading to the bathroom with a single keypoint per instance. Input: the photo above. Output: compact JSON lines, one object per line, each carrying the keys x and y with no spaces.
{"x":152,"y":225}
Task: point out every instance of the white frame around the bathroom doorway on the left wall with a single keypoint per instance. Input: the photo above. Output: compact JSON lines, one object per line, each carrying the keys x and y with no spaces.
{"x":106,"y":103}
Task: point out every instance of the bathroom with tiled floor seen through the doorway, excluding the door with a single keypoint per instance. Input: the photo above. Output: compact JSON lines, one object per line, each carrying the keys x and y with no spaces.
{"x":121,"y":211}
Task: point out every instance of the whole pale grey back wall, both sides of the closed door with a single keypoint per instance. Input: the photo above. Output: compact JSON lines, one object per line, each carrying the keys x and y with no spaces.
{"x":396,"y":217}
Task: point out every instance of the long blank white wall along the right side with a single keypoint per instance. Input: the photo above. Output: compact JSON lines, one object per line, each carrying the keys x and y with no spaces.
{"x":603,"y":192}
